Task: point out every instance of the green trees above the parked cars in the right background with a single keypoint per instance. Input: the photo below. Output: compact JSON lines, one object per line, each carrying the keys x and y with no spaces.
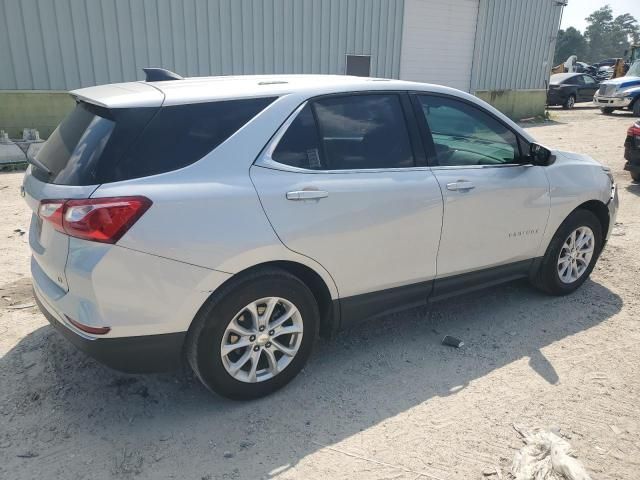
{"x":605,"y":37}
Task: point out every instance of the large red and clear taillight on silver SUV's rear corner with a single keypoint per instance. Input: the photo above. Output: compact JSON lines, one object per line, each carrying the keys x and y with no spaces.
{"x":97,"y":219}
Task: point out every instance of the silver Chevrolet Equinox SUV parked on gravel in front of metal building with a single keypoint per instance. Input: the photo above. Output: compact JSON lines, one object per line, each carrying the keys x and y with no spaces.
{"x":230,"y":220}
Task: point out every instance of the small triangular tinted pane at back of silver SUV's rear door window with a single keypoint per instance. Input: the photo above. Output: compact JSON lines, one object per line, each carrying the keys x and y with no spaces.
{"x":300,"y":146}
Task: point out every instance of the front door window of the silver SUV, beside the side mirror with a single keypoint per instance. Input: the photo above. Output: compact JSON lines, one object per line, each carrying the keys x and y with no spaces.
{"x":464,"y":135}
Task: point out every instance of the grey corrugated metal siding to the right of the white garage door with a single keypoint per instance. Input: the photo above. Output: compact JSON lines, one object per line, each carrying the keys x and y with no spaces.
{"x":514,"y":44}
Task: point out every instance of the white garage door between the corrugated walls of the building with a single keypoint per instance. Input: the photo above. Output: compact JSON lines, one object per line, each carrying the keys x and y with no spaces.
{"x":437,"y":41}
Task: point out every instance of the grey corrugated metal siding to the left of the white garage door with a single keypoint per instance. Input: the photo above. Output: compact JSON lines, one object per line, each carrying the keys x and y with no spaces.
{"x":66,"y":44}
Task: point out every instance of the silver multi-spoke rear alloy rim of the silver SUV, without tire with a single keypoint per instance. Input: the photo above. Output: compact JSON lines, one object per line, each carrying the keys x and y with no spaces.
{"x":262,"y":339}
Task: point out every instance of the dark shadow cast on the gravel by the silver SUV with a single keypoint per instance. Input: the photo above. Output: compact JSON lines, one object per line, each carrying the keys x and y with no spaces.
{"x":62,"y":409}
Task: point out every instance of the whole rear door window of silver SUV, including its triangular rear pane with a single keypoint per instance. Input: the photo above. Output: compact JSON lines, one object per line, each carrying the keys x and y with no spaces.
{"x":347,"y":133}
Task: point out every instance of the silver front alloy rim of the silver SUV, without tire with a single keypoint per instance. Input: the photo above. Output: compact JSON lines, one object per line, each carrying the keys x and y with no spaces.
{"x":575,"y":254}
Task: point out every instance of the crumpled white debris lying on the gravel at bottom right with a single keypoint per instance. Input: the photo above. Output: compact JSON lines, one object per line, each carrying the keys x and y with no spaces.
{"x":546,"y":456}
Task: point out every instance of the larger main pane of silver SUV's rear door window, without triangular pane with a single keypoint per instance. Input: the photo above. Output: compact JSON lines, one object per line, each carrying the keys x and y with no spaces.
{"x":363,"y":131}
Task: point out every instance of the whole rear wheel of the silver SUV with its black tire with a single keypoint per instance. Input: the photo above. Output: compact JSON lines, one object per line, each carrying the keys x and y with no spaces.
{"x":204,"y":347}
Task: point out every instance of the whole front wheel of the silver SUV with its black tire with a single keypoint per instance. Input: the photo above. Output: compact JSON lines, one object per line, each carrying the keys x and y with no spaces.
{"x":571,"y":255}
